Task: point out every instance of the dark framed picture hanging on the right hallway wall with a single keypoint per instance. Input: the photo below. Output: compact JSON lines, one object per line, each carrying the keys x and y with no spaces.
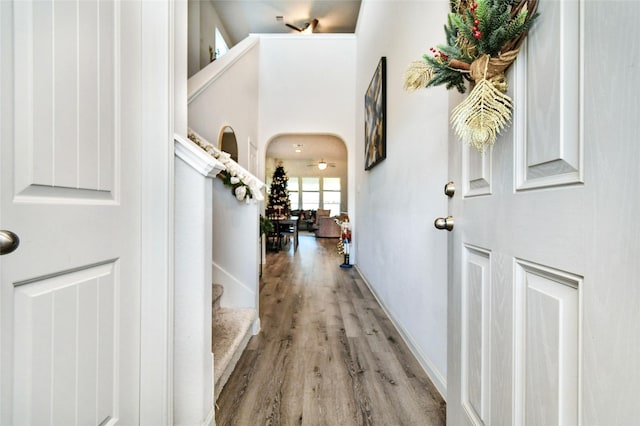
{"x":375,"y":117}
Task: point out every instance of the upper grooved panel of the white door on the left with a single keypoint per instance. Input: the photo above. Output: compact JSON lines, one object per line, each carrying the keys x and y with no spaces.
{"x":66,"y":113}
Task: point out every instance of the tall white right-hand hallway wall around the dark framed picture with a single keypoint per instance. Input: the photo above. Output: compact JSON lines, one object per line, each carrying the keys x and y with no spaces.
{"x":400,"y":254}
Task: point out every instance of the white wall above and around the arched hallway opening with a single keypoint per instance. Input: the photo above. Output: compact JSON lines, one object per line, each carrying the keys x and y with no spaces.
{"x":307,"y":87}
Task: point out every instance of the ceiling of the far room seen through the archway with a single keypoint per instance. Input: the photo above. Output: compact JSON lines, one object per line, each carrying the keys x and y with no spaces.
{"x":314,"y":148}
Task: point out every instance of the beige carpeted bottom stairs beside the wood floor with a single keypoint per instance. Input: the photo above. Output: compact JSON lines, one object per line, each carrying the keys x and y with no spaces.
{"x":231,"y":331}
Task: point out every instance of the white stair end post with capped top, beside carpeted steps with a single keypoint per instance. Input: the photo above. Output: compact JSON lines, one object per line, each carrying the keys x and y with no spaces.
{"x":193,"y":360}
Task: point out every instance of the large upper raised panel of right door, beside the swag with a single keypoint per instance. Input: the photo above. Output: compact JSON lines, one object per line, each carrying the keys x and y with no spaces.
{"x":547,"y":114}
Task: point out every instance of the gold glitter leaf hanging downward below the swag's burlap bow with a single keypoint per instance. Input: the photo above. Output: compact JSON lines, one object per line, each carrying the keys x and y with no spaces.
{"x":479,"y":118}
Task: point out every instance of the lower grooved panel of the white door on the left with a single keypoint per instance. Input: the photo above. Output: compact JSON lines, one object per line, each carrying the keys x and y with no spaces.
{"x":66,"y":337}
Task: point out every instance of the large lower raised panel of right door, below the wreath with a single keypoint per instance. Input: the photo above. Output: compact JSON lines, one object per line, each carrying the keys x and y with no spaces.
{"x":547,"y":323}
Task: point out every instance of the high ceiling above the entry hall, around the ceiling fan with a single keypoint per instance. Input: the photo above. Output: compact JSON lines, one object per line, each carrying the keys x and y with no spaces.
{"x":243,"y":17}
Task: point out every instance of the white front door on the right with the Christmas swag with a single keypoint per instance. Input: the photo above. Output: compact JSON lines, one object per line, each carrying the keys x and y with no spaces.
{"x":544,"y":318}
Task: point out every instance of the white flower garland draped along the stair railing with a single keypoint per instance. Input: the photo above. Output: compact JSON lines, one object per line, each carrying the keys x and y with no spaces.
{"x":243,"y":186}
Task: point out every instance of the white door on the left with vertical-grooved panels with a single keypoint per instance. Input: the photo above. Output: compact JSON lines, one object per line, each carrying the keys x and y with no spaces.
{"x":70,"y":181}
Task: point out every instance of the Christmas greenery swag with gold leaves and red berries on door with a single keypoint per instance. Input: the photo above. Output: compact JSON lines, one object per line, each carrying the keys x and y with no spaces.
{"x":483,"y":39}
